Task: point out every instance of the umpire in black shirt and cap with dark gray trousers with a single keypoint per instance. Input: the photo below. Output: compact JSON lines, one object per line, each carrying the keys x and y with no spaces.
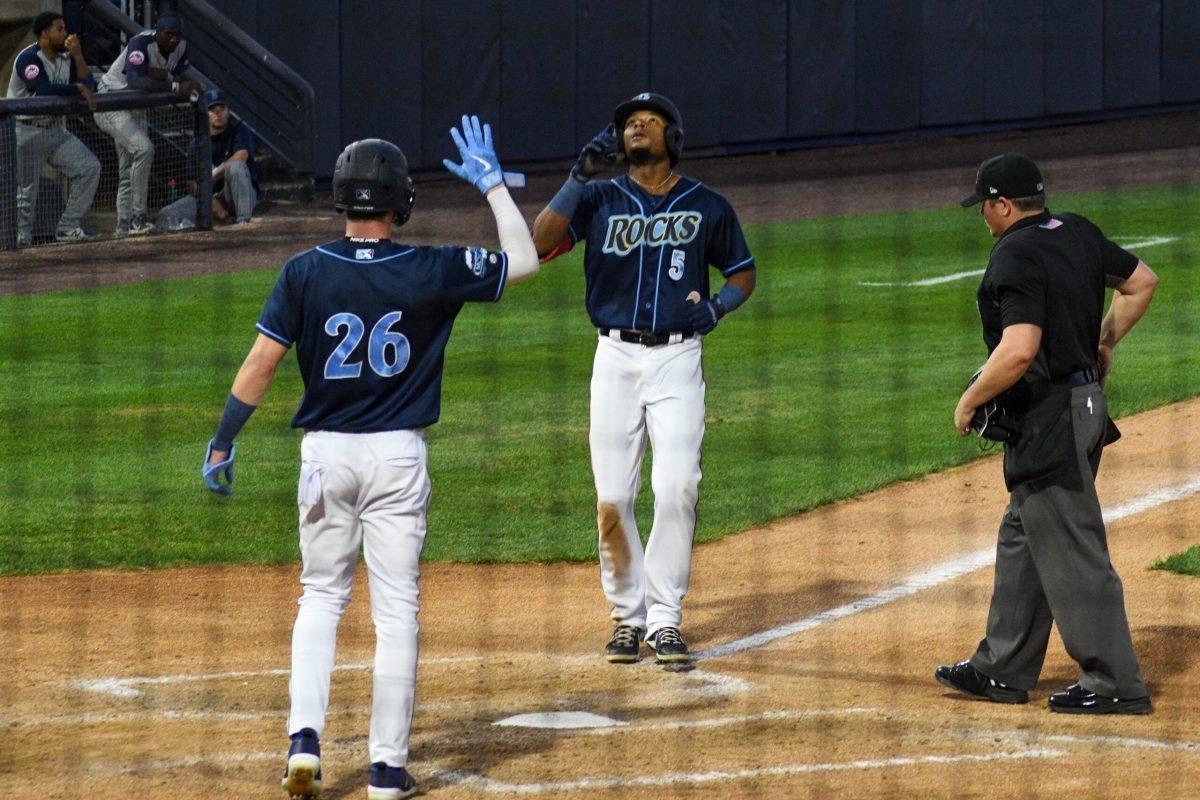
{"x":1041,"y":302}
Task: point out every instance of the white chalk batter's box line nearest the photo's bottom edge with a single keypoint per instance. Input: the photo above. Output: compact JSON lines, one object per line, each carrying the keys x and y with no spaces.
{"x":670,"y":779}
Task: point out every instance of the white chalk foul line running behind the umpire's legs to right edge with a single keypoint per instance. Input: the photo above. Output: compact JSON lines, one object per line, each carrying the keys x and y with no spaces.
{"x":928,"y":579}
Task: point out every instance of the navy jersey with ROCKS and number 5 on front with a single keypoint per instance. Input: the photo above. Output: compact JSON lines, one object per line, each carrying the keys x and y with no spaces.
{"x":646,"y":254}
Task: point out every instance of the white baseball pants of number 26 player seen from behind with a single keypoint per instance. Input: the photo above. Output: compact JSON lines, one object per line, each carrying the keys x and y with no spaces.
{"x":369,"y":489}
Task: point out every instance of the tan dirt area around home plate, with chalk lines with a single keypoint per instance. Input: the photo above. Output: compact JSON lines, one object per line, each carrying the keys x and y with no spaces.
{"x":818,"y":639}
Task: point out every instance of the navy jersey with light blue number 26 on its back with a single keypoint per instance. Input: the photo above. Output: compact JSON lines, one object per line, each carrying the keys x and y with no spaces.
{"x":370,"y":320}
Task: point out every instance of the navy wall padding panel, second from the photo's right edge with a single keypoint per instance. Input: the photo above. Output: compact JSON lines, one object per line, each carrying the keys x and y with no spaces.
{"x":1132,"y":51}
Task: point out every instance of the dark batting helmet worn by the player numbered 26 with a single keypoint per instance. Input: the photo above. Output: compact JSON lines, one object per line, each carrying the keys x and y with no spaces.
{"x":373,"y":176}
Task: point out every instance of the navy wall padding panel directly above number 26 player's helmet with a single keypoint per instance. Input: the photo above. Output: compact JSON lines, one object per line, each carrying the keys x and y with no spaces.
{"x":377,"y":105}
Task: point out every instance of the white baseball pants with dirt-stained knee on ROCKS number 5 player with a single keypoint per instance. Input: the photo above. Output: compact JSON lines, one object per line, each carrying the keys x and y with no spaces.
{"x":638,"y":393}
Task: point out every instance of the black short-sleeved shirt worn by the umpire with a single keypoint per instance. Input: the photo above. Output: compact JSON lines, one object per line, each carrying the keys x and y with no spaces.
{"x":1052,"y":270}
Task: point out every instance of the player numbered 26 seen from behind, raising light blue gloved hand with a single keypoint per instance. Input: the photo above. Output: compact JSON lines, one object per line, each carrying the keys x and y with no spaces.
{"x":370,"y":320}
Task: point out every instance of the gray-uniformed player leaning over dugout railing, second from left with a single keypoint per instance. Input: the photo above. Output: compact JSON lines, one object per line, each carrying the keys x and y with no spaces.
{"x":152,"y":62}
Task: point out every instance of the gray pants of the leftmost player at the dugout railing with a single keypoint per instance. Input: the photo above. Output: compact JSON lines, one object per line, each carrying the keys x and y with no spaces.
{"x":57,"y":146}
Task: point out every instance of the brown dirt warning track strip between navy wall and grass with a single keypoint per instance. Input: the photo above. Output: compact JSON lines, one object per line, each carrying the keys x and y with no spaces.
{"x":895,"y":177}
